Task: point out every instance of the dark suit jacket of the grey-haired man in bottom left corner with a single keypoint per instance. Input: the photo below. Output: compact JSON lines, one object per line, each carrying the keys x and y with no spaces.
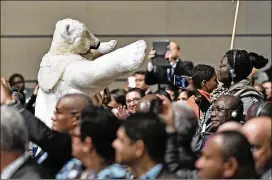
{"x":30,"y":170}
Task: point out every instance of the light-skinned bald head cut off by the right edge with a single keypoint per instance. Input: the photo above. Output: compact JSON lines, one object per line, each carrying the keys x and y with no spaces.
{"x":258,"y":132}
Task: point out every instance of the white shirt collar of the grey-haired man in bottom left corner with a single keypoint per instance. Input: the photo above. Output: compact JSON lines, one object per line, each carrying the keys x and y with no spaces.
{"x":14,"y":166}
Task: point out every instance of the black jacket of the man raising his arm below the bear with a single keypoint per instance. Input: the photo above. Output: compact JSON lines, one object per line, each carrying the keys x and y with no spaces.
{"x":57,"y":145}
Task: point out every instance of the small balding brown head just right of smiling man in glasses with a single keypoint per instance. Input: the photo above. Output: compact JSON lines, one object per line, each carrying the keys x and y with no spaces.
{"x":145,"y":104}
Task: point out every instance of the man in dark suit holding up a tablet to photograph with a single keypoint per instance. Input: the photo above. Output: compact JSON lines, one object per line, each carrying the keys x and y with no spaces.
{"x":161,"y":75}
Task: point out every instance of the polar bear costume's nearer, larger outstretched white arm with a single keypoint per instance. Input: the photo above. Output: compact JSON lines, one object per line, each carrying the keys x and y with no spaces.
{"x":106,"y":69}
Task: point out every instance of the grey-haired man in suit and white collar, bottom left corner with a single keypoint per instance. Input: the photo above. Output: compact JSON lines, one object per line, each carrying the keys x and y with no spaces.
{"x":15,"y":161}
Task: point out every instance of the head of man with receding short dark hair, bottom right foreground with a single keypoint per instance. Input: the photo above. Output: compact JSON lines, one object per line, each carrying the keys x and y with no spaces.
{"x":230,"y":150}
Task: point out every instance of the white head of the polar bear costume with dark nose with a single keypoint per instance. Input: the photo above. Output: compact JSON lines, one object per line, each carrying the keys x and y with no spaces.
{"x":73,"y":37}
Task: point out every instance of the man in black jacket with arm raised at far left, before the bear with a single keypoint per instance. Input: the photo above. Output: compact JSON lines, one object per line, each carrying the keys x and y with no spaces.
{"x":57,"y":145}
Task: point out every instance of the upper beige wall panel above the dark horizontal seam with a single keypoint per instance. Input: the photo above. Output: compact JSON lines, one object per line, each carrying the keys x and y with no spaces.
{"x":125,"y":17}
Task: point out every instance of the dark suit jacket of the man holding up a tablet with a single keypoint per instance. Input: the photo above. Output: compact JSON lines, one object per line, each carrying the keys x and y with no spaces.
{"x":159,"y":74}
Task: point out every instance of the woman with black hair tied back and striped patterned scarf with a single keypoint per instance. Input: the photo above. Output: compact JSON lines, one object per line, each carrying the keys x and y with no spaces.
{"x":232,"y":73}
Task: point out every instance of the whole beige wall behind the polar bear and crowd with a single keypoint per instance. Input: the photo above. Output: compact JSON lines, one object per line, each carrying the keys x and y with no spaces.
{"x":202,"y":28}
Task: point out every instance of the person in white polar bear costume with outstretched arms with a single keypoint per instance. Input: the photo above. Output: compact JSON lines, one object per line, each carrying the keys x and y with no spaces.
{"x":64,"y":69}
